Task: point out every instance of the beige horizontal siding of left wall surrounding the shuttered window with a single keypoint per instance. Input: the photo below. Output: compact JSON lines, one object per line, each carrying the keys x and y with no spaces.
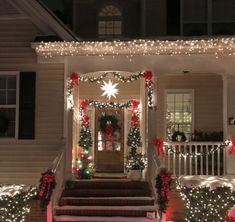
{"x":22,"y":161}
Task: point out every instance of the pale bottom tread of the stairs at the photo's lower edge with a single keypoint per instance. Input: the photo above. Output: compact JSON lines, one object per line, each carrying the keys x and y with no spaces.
{"x":101,"y":219}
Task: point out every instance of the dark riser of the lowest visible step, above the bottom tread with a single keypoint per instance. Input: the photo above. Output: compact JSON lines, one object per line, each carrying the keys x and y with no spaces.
{"x":102,"y":213}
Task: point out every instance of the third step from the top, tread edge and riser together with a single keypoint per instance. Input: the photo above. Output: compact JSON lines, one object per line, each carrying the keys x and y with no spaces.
{"x":109,"y":201}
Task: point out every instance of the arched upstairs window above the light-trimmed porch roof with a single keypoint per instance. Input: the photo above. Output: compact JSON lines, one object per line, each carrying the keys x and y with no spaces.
{"x":110,"y":21}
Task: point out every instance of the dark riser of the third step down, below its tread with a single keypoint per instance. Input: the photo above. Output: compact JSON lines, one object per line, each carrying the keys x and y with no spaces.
{"x":108,"y":202}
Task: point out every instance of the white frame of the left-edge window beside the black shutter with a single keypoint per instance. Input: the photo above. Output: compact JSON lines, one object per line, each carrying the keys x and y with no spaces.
{"x":16,"y":106}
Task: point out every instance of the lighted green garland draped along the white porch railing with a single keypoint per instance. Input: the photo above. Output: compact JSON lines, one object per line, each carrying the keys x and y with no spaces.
{"x":175,"y":150}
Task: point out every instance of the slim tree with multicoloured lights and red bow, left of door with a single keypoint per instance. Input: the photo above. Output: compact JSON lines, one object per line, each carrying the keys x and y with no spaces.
{"x":84,"y":162}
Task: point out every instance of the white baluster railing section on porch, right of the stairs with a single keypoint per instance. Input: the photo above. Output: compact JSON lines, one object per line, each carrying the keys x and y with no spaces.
{"x":195,"y":158}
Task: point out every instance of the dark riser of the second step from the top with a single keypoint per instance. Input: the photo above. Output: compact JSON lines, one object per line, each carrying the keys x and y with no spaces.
{"x":105,"y":192}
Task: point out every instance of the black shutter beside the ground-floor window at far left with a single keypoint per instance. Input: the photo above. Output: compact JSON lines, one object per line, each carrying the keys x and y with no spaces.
{"x":27,"y":105}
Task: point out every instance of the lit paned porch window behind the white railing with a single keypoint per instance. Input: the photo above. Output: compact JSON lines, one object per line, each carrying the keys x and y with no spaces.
{"x":179,"y":112}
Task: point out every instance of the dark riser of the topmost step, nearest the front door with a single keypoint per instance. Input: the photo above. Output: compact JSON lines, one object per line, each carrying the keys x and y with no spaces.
{"x":108,"y":184}
